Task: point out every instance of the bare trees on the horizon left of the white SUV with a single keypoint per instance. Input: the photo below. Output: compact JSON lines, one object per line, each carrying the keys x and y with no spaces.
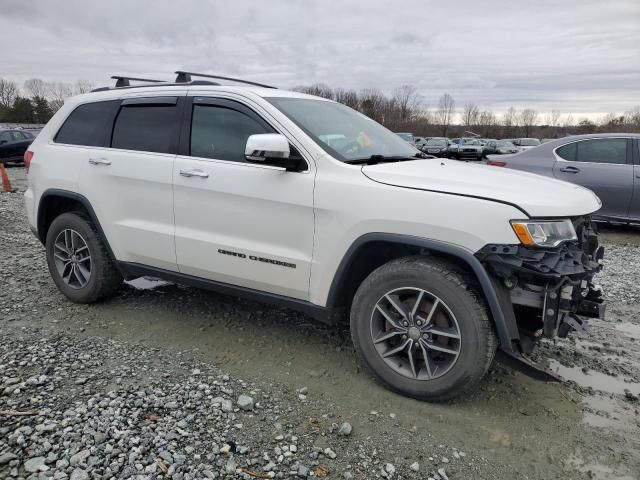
{"x":35,"y":101}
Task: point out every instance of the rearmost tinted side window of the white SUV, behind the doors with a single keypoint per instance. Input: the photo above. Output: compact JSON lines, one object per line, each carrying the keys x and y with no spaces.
{"x":87,"y":125}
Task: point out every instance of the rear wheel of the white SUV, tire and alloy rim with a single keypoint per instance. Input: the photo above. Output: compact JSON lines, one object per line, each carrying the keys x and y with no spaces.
{"x":103,"y":279}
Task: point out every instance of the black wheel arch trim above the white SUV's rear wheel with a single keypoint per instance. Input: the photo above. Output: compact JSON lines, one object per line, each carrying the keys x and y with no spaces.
{"x":54,"y":202}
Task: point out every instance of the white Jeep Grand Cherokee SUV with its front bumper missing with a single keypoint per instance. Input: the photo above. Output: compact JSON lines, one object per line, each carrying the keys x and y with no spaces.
{"x":238,"y":189}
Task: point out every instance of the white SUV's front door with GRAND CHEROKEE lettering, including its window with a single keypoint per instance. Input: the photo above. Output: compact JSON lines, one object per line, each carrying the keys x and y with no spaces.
{"x":239,"y":223}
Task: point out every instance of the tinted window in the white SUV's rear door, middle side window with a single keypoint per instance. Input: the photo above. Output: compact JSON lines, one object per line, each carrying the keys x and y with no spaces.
{"x":145,"y":127}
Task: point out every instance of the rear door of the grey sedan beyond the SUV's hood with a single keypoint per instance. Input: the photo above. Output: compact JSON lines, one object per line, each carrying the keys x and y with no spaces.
{"x":603,"y":165}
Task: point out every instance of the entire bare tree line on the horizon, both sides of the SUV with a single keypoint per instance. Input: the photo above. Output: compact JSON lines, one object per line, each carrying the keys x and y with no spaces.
{"x":404,"y":110}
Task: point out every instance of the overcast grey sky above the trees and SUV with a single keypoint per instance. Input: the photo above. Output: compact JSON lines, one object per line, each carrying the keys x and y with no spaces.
{"x":577,"y":56}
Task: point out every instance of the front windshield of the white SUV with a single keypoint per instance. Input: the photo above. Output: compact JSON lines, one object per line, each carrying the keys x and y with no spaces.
{"x":342,"y":132}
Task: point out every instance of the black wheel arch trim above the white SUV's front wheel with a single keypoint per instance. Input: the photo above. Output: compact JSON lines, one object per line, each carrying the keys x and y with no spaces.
{"x":372,"y":250}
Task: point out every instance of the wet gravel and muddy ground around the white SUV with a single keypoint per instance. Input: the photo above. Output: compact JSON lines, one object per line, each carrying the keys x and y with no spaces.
{"x":168,"y":381}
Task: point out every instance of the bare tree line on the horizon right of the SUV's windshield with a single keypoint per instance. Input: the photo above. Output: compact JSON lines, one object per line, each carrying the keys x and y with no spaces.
{"x":405,"y":110}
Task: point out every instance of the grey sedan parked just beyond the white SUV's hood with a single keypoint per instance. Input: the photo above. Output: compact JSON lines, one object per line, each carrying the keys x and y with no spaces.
{"x":608,"y":164}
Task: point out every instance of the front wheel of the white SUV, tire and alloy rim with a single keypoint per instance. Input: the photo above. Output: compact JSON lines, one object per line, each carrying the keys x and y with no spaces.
{"x":457,"y":299}
